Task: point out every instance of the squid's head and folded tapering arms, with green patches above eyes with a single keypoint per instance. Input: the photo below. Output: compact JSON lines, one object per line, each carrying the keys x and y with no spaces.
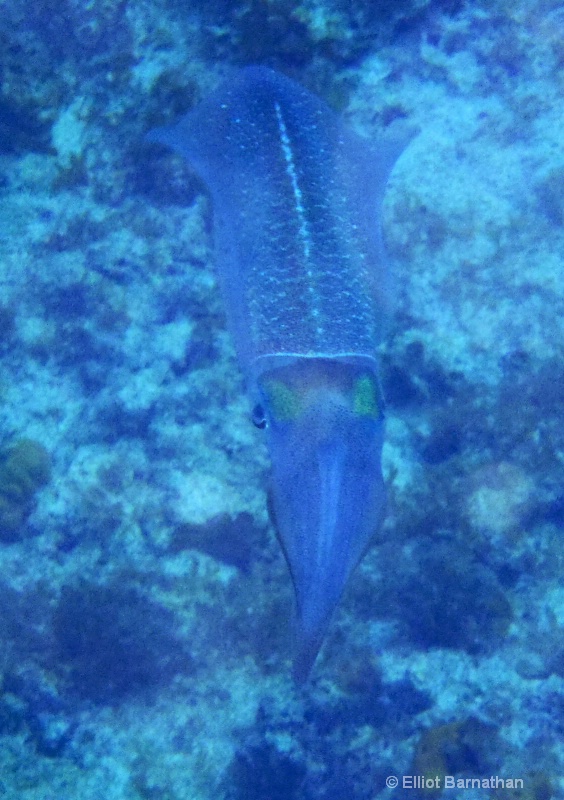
{"x":325,"y":429}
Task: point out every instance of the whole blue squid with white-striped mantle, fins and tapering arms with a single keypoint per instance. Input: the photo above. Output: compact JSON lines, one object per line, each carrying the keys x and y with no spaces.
{"x":297,"y":200}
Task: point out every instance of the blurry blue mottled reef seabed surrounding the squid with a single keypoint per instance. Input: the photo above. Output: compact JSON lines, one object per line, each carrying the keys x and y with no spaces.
{"x":145,"y":606}
